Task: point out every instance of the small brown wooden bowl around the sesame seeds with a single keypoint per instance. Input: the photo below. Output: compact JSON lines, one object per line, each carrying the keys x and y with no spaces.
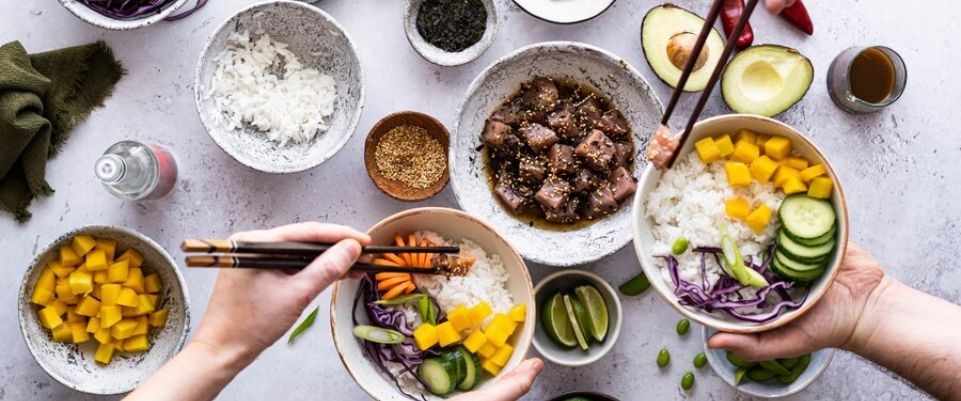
{"x":396,"y":189}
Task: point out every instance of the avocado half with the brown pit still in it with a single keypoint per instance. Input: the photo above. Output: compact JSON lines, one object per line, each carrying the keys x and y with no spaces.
{"x":666,"y":22}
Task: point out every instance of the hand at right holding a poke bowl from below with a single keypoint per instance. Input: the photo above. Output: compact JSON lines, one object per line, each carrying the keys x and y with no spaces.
{"x":832,"y":323}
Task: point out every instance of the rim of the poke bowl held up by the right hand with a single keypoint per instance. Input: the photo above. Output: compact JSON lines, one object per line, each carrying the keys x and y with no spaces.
{"x":653,"y":272}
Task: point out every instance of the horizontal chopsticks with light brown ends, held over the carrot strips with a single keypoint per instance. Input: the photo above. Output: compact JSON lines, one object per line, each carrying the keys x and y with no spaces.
{"x":219,"y":253}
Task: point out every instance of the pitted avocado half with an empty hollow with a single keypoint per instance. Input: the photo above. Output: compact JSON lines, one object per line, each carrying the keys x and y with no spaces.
{"x":766,"y":80}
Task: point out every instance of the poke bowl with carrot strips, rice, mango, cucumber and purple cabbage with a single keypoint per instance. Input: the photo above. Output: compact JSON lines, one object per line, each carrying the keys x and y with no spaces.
{"x":412,"y":335}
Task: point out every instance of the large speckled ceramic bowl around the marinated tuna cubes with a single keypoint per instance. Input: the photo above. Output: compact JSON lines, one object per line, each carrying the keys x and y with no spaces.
{"x":588,"y":65}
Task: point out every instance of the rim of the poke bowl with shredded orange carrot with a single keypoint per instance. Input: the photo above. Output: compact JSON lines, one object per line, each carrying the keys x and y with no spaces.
{"x":519,"y":349}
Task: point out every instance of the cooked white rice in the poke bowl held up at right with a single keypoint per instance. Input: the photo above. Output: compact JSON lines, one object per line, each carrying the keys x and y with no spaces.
{"x":689,"y":202}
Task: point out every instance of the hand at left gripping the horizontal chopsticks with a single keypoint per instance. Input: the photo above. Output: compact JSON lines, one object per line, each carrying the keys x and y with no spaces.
{"x":250,"y":309}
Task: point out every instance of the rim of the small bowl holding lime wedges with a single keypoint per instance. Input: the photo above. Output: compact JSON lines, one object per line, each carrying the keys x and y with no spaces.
{"x":613,"y":333}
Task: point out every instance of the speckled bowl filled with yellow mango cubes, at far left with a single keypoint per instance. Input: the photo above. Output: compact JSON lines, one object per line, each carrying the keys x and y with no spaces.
{"x":102,"y":308}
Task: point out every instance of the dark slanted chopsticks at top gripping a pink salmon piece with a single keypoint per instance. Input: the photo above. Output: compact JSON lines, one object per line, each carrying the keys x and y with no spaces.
{"x":715,"y":76}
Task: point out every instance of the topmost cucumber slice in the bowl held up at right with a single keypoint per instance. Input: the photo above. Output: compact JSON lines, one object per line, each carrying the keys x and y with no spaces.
{"x":806,"y":217}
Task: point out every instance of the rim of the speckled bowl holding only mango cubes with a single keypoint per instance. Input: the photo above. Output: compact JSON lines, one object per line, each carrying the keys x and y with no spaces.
{"x":24,"y":291}
